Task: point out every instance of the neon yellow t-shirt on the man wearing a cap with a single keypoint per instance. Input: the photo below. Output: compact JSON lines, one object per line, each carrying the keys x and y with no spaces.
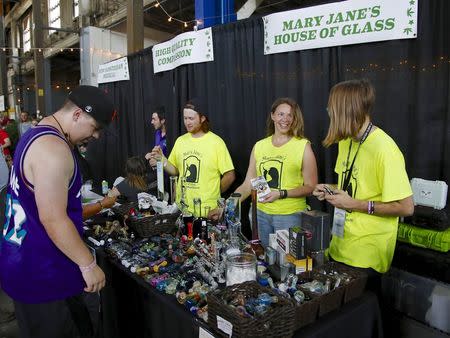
{"x":201,"y":161}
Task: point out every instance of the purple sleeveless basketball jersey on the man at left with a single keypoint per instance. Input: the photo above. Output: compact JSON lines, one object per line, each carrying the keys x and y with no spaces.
{"x":32,"y":268}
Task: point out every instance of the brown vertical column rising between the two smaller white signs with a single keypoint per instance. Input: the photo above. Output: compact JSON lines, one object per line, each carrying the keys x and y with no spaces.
{"x":135,"y":25}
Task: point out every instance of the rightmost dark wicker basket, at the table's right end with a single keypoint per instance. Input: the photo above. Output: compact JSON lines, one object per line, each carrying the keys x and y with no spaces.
{"x":357,"y":284}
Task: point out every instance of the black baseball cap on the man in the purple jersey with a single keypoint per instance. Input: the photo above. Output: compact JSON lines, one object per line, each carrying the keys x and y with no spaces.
{"x":95,"y":102}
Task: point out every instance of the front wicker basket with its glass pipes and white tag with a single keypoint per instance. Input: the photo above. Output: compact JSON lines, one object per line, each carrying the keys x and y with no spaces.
{"x":250,"y":310}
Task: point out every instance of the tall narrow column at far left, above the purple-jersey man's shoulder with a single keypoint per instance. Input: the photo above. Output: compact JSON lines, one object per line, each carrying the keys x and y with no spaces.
{"x":38,"y":41}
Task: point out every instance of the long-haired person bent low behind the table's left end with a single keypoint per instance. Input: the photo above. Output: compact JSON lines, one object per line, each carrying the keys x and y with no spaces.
{"x":136,"y":180}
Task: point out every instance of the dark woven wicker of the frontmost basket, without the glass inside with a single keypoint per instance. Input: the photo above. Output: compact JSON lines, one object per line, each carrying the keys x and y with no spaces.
{"x":277,"y":322}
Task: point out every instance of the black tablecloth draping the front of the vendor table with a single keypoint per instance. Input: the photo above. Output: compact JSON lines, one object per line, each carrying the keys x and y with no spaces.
{"x":132,"y":308}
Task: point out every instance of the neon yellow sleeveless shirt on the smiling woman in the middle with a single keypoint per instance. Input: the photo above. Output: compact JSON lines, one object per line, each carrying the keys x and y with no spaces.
{"x":282,"y":169}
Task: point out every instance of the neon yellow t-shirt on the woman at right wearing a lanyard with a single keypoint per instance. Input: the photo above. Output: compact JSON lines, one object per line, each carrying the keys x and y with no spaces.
{"x":378,"y":175}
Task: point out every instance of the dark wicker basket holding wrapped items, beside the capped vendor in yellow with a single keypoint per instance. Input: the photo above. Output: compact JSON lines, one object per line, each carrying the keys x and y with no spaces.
{"x":151,"y":225}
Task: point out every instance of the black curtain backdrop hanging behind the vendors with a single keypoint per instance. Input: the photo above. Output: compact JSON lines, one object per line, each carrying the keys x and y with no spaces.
{"x":411,"y":78}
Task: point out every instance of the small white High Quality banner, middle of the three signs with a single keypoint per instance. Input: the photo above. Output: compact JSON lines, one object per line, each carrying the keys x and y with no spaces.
{"x":190,"y":47}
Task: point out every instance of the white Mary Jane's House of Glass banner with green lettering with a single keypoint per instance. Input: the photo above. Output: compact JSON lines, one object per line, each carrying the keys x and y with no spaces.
{"x":341,"y":23}
